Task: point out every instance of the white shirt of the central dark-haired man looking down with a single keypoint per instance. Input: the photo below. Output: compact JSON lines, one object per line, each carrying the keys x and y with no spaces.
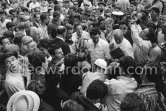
{"x":100,"y":51}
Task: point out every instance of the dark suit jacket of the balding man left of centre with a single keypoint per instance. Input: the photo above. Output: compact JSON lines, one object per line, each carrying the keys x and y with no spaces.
{"x":63,"y":45}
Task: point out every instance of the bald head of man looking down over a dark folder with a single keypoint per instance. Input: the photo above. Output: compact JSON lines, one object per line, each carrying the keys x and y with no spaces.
{"x":118,"y":36}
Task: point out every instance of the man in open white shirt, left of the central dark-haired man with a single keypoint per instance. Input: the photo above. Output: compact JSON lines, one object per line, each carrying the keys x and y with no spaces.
{"x":77,"y":36}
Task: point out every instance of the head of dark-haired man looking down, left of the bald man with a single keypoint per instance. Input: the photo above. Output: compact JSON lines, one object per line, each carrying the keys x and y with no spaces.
{"x":95,"y":35}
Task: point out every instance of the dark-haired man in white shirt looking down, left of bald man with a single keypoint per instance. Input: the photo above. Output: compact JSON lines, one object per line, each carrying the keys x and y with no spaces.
{"x":97,"y":47}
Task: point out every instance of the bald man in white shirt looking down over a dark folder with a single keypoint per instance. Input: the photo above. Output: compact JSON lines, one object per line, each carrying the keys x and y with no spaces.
{"x":123,"y":43}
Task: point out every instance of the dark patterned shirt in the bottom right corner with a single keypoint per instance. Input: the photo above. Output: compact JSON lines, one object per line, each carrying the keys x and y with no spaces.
{"x":149,"y":95}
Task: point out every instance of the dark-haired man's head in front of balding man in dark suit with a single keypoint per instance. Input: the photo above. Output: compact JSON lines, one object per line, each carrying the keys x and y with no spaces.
{"x":56,"y":52}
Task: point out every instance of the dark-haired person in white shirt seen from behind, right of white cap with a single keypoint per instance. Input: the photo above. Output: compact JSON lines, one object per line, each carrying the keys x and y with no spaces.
{"x":124,"y":84}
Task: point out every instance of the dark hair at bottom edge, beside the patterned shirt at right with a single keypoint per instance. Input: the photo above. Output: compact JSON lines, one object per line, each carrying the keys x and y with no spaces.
{"x":132,"y":102}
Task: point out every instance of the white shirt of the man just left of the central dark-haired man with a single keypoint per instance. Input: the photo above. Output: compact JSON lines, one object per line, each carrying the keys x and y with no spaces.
{"x":75,"y":39}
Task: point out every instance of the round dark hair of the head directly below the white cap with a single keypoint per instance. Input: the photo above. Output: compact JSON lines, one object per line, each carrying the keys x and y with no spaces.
{"x":96,"y":90}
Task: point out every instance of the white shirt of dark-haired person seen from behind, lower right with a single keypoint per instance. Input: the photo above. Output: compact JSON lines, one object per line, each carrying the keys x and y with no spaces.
{"x":117,"y":90}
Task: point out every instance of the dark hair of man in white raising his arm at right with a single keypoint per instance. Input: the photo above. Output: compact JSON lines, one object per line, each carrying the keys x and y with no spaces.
{"x":152,"y":35}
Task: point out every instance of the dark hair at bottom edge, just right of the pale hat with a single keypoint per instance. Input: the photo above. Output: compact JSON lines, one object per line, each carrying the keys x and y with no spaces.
{"x":72,"y":105}
